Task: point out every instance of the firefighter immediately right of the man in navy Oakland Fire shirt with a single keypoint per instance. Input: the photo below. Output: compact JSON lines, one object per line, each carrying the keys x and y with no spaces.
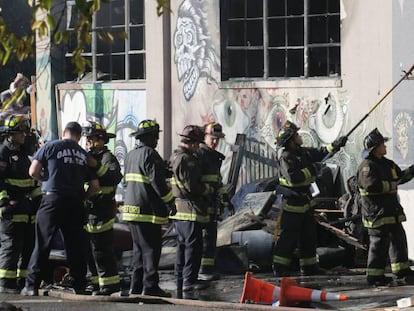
{"x":101,"y":211}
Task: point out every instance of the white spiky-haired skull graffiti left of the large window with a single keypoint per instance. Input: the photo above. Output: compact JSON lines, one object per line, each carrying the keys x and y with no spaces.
{"x":195,"y":56}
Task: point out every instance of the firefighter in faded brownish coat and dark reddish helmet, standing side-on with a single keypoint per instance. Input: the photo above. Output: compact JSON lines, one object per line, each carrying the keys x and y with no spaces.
{"x":191,"y":194}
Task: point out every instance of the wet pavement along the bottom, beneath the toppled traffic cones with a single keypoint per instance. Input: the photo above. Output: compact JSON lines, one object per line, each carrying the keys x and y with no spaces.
{"x":225,"y":294}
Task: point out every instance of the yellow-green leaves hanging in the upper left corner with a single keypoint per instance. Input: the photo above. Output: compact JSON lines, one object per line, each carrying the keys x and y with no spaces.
{"x":44,"y":24}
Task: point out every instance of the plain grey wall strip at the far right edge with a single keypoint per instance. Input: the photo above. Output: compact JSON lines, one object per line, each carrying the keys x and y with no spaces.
{"x":403,"y":108}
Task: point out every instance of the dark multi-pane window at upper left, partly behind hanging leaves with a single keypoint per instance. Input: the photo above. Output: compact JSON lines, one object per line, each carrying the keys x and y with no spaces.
{"x":124,"y":59}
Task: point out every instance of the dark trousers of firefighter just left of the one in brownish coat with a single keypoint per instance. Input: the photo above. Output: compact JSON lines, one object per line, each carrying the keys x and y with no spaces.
{"x":147,"y":242}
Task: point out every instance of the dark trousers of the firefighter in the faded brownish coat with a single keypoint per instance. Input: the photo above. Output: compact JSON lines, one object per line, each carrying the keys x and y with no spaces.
{"x":189,"y":248}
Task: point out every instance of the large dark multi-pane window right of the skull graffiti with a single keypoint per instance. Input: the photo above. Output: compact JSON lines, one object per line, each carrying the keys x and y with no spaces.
{"x":320,"y":50}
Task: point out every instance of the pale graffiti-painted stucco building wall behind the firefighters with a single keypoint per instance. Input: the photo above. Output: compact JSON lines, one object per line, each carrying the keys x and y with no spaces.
{"x":376,"y":45}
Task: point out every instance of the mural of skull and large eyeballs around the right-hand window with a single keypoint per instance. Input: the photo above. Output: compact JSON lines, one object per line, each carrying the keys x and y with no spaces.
{"x":258,"y":112}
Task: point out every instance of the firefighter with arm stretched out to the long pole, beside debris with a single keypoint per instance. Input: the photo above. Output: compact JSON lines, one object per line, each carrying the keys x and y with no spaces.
{"x":299,"y":167}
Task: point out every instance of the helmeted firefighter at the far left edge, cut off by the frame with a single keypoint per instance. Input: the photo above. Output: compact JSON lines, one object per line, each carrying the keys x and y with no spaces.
{"x":18,"y":193}
